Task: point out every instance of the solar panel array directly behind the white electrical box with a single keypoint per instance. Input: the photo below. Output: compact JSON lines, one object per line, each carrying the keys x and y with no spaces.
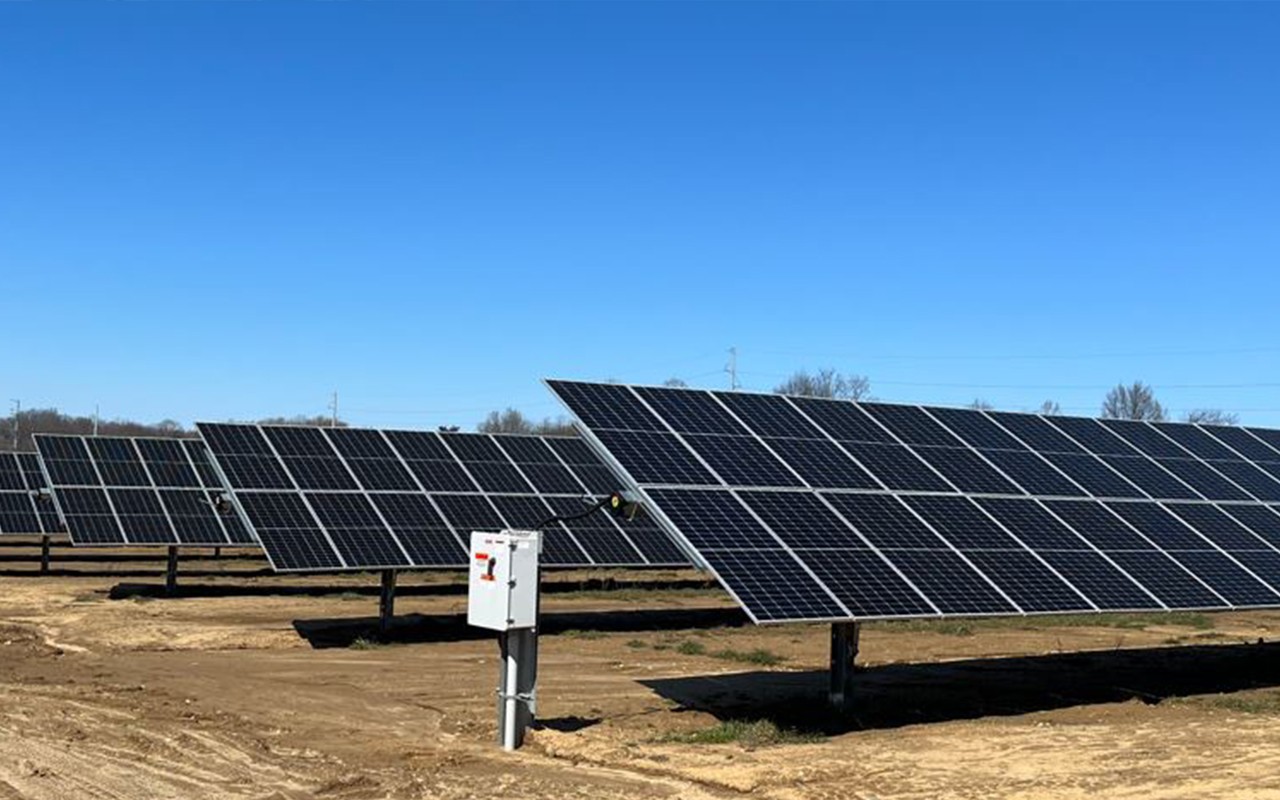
{"x":349,"y":499}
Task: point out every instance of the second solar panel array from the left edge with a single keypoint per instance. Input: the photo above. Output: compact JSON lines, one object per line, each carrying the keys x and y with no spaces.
{"x":116,"y":491}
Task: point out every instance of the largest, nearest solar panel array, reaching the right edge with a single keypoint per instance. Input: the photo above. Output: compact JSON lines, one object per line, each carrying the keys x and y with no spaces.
{"x":817,"y":510}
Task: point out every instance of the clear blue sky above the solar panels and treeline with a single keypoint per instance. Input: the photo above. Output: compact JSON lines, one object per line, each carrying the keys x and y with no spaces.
{"x":230,"y":211}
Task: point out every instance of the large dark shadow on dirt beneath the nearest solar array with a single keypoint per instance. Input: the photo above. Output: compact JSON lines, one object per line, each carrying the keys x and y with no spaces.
{"x":897,"y":696}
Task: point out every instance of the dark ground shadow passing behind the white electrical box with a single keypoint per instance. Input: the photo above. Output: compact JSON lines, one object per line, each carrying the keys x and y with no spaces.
{"x":410,"y":629}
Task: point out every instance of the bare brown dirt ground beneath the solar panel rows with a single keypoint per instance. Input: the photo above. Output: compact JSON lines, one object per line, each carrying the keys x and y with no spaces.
{"x":252,"y":685}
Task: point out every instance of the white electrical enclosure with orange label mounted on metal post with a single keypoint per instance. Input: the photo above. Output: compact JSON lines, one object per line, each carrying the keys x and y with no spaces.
{"x":502,"y":591}
